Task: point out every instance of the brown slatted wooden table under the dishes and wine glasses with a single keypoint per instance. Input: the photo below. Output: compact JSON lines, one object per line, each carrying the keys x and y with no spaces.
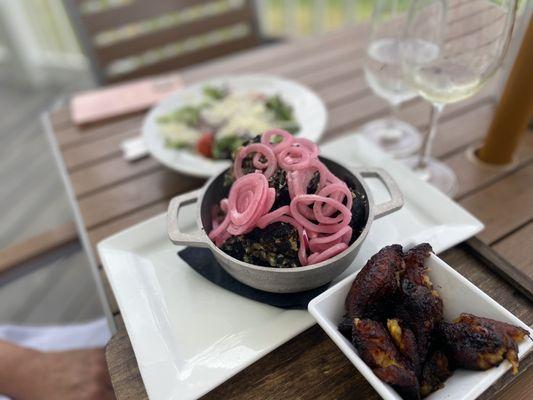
{"x":110,"y":194}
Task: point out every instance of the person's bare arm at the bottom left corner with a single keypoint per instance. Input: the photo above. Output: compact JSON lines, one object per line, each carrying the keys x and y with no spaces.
{"x":68,"y":375}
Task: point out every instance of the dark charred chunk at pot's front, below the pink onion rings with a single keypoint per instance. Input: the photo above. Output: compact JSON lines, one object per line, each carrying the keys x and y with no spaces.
{"x":274,"y":246}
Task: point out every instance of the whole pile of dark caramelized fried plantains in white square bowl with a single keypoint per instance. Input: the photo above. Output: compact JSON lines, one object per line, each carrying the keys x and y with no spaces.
{"x":417,"y":350}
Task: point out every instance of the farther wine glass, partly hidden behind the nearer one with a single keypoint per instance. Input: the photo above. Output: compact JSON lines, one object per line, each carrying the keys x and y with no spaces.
{"x":383,"y":73}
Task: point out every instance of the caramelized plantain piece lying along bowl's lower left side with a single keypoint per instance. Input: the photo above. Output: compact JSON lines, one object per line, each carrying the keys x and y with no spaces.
{"x":377,"y":349}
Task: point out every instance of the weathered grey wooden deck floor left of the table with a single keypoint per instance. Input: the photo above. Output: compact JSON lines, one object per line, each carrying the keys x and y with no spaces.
{"x":58,"y":288}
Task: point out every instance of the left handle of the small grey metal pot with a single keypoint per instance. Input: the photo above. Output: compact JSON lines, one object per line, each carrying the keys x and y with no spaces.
{"x":174,"y":233}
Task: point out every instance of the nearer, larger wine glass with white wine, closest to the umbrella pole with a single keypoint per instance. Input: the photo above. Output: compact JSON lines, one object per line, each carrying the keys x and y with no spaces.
{"x":471,"y":49}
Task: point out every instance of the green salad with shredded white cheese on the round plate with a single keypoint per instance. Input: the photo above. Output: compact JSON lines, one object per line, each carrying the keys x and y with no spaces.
{"x":223,"y":120}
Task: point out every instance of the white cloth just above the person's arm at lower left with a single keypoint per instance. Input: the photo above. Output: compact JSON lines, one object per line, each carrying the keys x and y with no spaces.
{"x":58,"y":338}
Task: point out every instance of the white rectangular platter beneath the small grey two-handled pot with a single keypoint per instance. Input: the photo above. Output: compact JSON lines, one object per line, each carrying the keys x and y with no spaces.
{"x":190,"y":335}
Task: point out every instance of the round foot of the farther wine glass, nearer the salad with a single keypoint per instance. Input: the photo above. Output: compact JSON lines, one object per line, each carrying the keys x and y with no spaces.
{"x":395,"y":137}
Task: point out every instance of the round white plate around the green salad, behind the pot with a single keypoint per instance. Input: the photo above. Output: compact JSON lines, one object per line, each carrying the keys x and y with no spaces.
{"x":309,"y":112}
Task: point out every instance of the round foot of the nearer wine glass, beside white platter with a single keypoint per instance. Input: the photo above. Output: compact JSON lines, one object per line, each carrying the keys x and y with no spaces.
{"x":437,"y":173}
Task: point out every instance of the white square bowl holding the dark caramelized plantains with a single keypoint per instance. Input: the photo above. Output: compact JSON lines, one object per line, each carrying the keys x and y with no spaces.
{"x":458,"y":295}
